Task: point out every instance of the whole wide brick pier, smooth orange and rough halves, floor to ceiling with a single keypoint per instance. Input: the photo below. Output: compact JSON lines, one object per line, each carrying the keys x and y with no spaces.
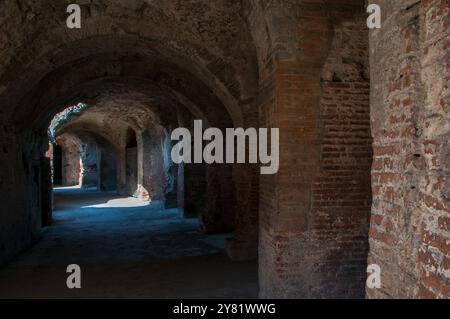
{"x":319,"y":200}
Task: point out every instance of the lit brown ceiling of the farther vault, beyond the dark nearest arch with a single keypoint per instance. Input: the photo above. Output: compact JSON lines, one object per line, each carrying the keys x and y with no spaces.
{"x":130,"y":101}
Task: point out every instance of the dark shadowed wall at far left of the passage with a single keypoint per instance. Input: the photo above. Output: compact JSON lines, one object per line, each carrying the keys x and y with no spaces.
{"x":22,"y":198}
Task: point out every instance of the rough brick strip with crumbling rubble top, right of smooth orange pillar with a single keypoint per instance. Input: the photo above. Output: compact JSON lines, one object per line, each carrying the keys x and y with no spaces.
{"x":341,"y":194}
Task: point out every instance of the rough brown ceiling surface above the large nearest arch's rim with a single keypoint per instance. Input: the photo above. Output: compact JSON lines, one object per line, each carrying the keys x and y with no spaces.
{"x":214,"y":32}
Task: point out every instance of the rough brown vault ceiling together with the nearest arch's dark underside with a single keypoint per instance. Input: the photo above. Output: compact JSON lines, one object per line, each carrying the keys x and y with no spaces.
{"x":209,"y":42}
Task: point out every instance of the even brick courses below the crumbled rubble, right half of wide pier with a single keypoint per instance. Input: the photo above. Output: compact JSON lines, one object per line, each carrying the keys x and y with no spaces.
{"x":342,"y":194}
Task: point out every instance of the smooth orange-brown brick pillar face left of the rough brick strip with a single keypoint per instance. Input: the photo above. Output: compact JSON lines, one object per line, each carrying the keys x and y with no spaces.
{"x":285,"y":198}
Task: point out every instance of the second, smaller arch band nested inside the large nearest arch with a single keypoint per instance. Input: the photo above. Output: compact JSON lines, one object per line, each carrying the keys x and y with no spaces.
{"x":156,"y":102}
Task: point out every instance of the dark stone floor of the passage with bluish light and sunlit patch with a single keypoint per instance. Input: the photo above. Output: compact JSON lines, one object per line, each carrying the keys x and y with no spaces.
{"x":126,"y":249}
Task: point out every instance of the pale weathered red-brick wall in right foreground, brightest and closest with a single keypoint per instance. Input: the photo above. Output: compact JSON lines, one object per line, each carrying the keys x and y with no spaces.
{"x":410,"y":111}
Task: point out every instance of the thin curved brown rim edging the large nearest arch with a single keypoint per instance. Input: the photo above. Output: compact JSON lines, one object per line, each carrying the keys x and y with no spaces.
{"x":85,"y":45}
